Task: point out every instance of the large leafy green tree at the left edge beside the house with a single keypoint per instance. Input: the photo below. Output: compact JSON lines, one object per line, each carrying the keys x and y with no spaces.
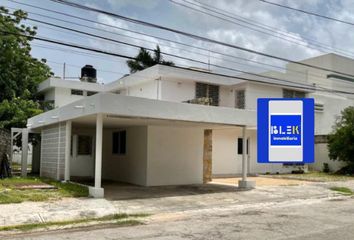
{"x":20,"y":73}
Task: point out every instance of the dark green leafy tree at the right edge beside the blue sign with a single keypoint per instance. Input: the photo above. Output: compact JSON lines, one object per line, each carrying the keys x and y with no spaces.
{"x":341,"y":141}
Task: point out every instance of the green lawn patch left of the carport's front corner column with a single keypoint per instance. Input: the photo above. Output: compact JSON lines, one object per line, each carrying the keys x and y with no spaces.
{"x":9,"y":192}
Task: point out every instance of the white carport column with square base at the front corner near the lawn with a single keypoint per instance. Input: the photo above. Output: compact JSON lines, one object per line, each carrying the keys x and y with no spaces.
{"x":97,"y":191}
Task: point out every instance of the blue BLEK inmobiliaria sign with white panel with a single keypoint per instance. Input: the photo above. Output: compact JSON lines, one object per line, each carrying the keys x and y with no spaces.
{"x":285,"y":130}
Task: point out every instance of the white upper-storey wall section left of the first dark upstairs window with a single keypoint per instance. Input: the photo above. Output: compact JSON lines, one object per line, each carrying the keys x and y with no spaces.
{"x":177,"y":91}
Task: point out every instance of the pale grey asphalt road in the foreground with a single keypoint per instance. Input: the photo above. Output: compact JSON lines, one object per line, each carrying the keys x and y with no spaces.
{"x":291,"y":219}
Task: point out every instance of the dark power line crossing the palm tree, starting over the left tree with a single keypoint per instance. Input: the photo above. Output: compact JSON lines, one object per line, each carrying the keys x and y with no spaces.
{"x":132,"y":58}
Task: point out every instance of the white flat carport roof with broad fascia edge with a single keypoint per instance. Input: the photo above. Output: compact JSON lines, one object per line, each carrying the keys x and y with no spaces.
{"x":119,"y":106}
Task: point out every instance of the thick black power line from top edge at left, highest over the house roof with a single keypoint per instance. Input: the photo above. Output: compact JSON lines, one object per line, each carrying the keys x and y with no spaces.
{"x":152,"y":25}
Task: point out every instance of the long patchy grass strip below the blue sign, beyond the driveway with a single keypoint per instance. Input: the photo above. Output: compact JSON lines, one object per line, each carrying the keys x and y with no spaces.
{"x":316,"y":177}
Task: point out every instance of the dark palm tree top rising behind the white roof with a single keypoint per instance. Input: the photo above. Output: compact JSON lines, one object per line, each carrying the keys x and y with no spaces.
{"x":144,"y":59}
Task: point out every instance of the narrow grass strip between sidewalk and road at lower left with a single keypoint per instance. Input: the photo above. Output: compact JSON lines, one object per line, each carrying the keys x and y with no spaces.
{"x":119,"y":219}
